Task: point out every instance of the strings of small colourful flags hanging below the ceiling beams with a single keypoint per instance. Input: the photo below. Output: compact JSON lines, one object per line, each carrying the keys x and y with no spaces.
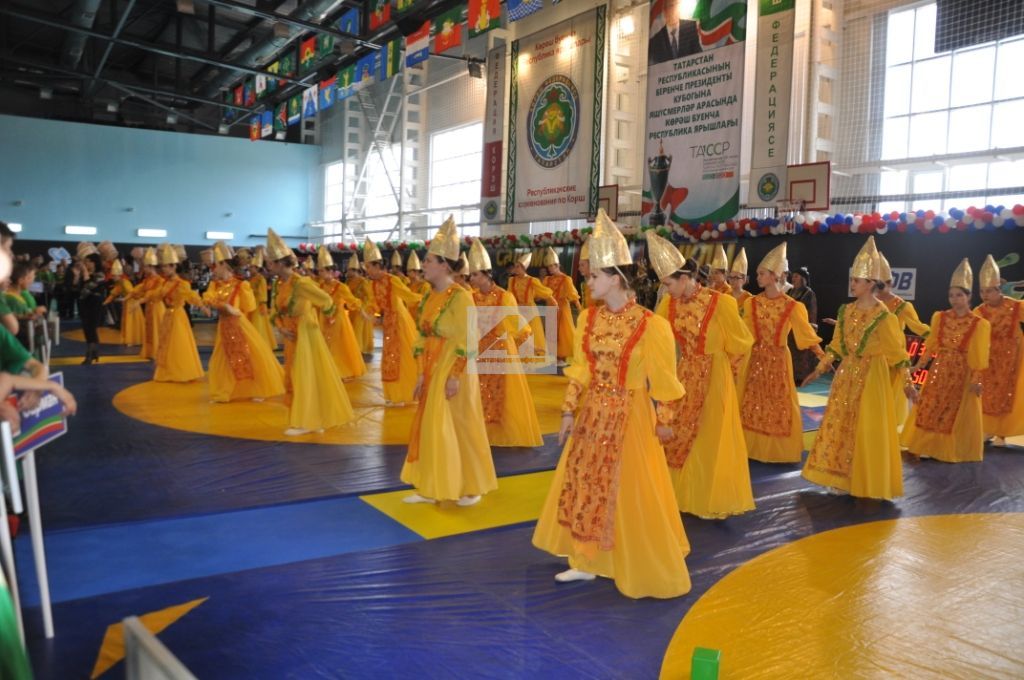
{"x":447,"y":31}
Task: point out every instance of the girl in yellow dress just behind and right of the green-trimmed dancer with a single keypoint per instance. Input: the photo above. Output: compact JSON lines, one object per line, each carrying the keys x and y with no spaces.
{"x":508,"y":405}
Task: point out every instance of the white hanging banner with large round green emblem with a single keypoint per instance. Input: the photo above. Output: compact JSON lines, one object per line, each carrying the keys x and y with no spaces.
{"x":556,"y":107}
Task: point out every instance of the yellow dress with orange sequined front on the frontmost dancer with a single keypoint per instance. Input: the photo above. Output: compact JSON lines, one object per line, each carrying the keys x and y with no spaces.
{"x":611,"y":508}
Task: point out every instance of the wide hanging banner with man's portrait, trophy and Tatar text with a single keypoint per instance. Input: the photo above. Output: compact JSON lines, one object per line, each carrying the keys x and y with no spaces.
{"x":695,"y":106}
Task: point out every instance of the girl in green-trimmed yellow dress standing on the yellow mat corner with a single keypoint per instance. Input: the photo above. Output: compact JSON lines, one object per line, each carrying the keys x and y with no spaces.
{"x":449,"y":455}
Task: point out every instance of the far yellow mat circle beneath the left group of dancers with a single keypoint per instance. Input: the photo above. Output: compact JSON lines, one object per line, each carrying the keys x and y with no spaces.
{"x":187,"y":407}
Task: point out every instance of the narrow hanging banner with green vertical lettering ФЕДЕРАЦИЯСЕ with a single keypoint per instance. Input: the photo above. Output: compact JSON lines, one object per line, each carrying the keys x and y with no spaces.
{"x":773,"y":93}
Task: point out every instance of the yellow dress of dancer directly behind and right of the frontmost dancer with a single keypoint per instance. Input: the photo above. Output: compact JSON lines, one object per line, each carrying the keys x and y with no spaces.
{"x":708,"y":455}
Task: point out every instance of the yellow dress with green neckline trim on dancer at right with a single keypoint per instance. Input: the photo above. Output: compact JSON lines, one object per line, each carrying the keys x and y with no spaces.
{"x":858,"y":448}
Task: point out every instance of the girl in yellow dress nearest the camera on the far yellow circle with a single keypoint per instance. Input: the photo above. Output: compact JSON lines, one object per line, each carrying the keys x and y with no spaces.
{"x":317,"y":398}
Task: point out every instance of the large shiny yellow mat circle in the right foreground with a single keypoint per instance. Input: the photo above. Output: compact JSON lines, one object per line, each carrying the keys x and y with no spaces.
{"x":919,"y":598}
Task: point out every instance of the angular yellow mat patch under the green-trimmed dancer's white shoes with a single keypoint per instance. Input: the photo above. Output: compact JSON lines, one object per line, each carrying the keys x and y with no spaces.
{"x":519,"y":499}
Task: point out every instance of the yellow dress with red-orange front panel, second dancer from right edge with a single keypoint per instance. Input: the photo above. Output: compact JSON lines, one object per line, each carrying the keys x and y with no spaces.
{"x":947,"y":424}
